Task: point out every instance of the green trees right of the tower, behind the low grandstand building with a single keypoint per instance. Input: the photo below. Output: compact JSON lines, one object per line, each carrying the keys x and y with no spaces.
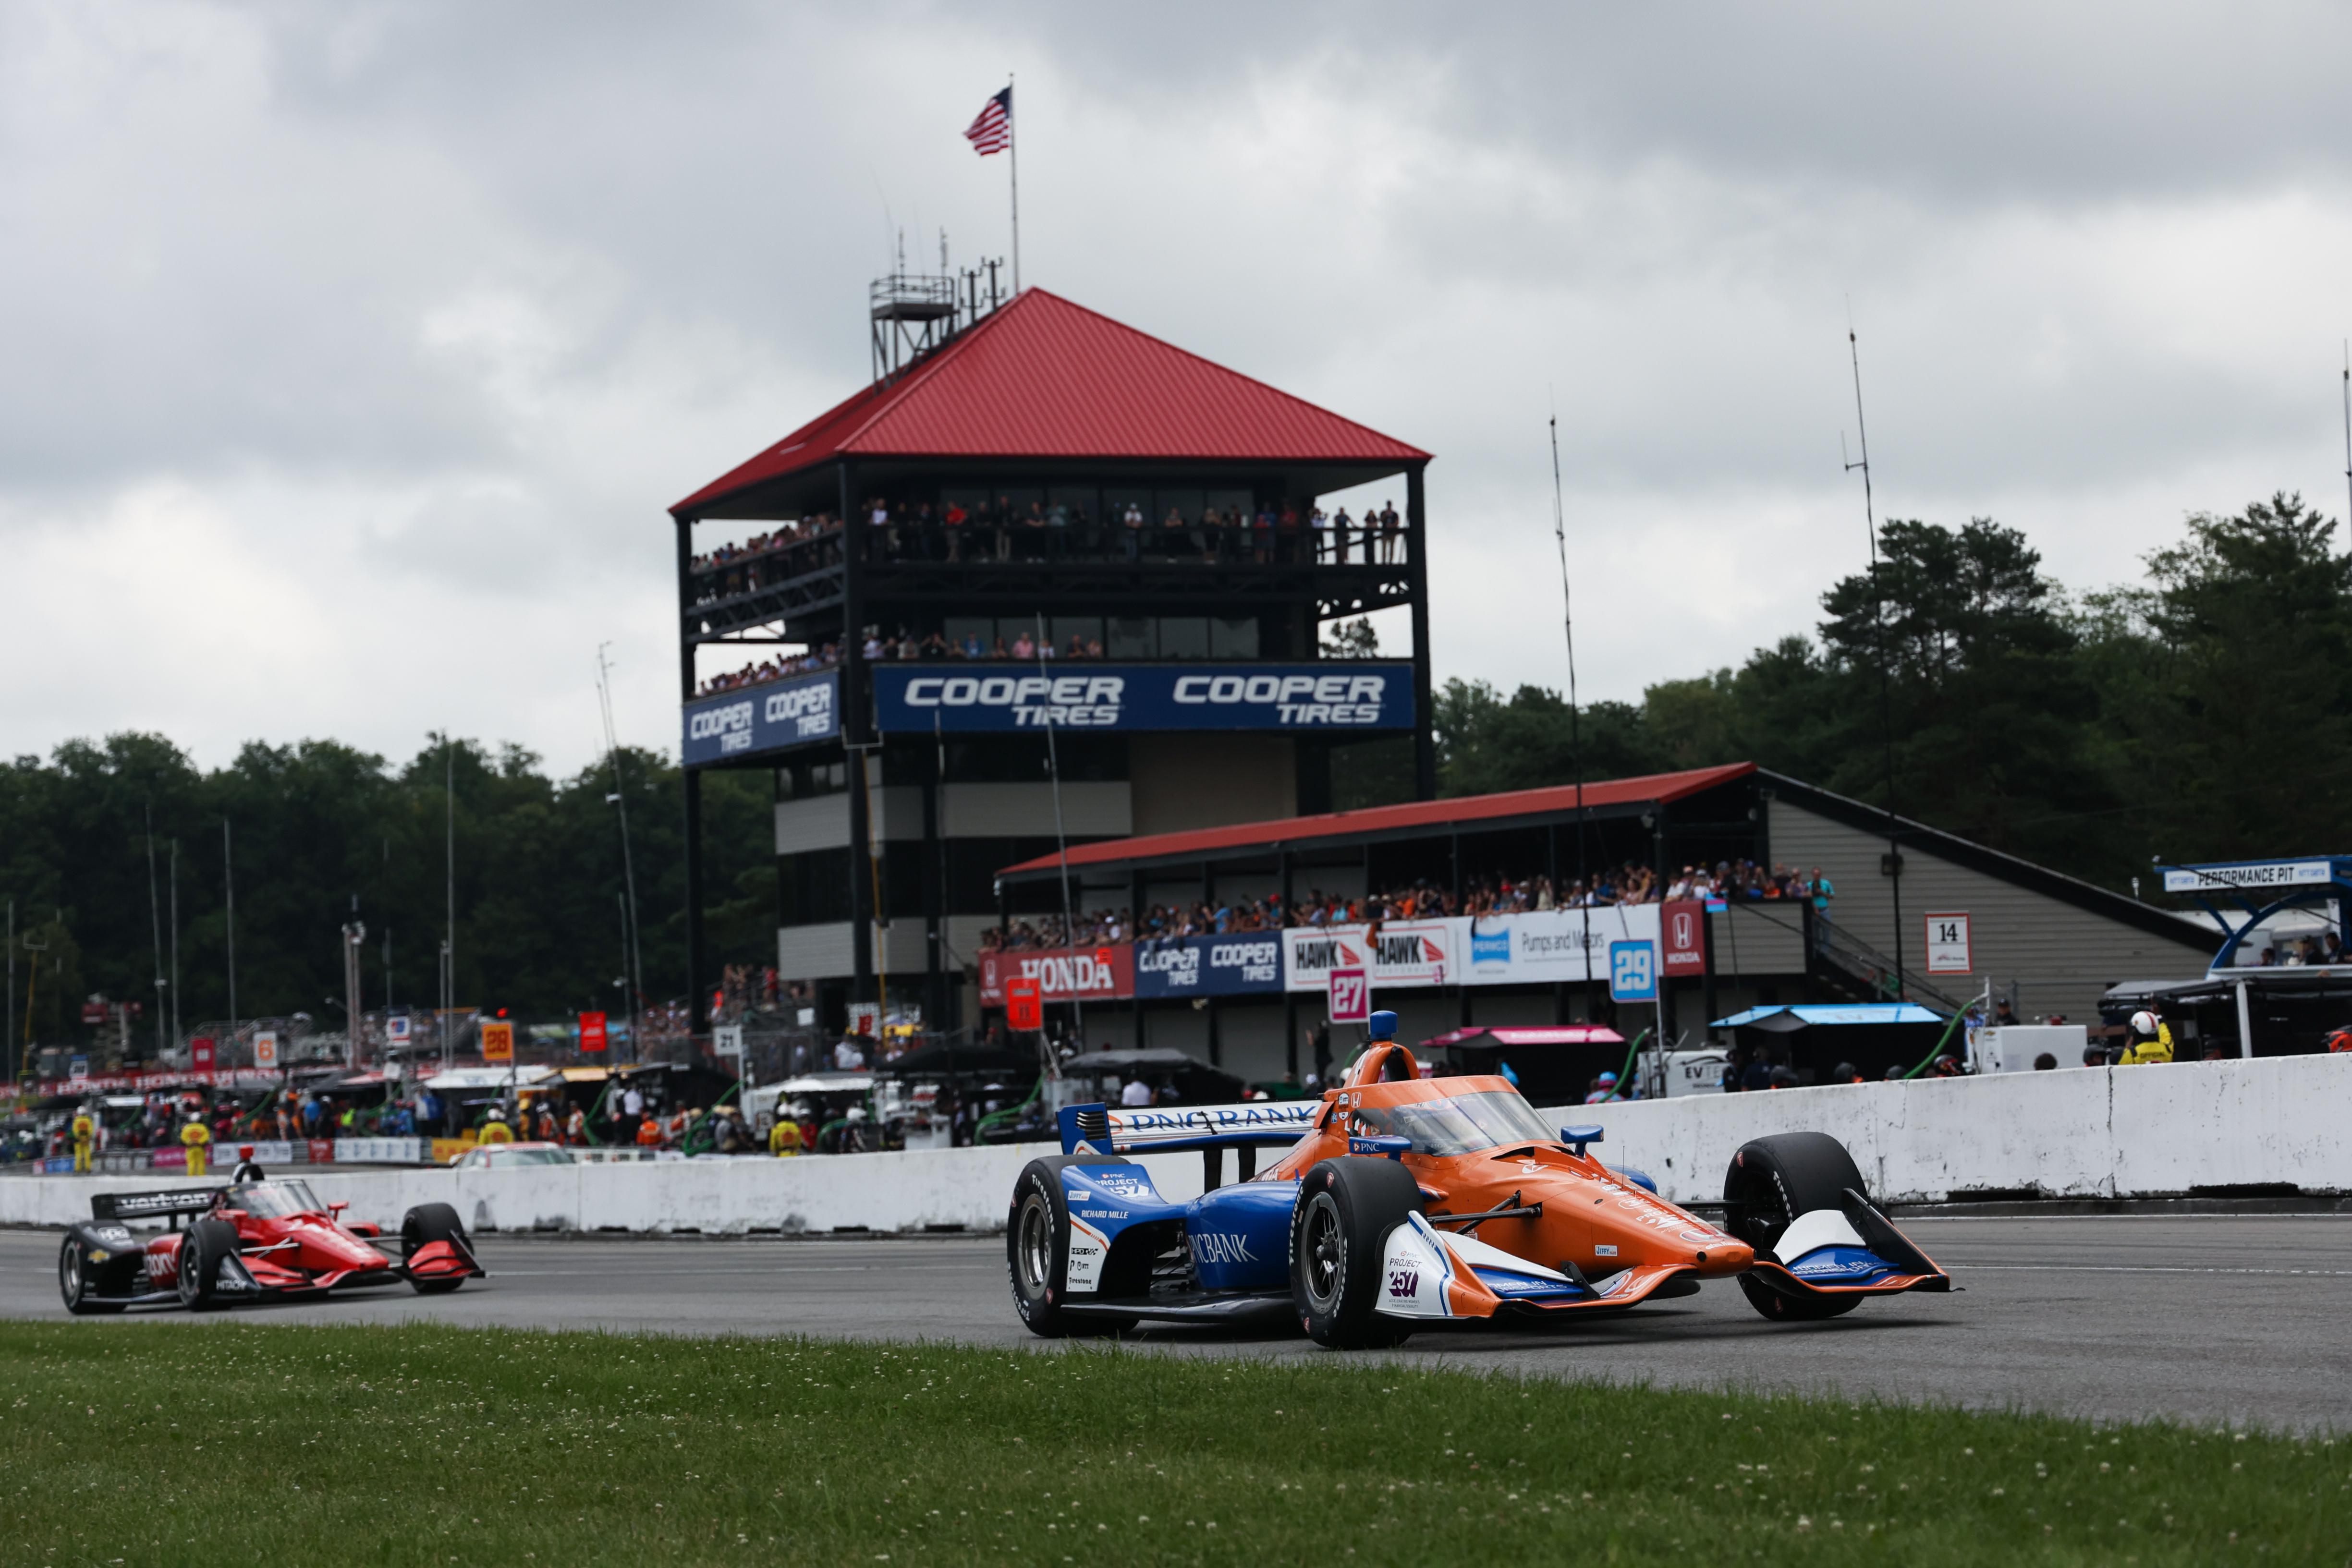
{"x":2193,"y":716}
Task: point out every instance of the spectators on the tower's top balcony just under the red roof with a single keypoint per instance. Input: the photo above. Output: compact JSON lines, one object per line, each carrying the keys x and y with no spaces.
{"x":1008,"y":530}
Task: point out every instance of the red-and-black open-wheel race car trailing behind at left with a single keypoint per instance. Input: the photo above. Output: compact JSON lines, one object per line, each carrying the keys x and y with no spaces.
{"x":250,"y":1242}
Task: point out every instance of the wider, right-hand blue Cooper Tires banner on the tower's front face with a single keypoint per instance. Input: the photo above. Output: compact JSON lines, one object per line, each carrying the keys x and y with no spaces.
{"x":1323,"y":697}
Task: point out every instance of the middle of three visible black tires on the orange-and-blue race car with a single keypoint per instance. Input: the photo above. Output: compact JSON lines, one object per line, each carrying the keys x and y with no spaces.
{"x":1339,"y":1235}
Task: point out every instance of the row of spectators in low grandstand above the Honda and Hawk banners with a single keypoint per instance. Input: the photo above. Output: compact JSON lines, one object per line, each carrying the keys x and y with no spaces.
{"x":1730,"y":880}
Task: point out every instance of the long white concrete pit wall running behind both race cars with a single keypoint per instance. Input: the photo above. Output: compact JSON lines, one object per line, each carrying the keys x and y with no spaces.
{"x":2078,"y":1132}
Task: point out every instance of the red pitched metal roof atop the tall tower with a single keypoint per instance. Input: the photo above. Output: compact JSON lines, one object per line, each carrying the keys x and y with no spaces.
{"x":1050,"y":380}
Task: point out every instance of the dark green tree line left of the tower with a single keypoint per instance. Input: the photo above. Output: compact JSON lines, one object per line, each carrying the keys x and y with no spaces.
{"x":321,"y":833}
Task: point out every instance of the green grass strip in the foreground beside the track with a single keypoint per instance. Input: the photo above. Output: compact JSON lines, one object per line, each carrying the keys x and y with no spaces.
{"x":281,"y":1445}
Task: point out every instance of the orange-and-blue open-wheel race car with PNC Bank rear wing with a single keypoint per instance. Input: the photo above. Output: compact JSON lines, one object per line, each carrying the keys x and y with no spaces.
{"x":1410,"y":1205}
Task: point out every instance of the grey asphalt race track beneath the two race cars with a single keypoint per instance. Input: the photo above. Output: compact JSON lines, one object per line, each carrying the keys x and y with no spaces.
{"x":2210,"y":1318}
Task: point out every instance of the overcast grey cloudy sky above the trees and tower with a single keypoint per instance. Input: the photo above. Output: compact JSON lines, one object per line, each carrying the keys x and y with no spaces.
{"x":354,"y":351}
